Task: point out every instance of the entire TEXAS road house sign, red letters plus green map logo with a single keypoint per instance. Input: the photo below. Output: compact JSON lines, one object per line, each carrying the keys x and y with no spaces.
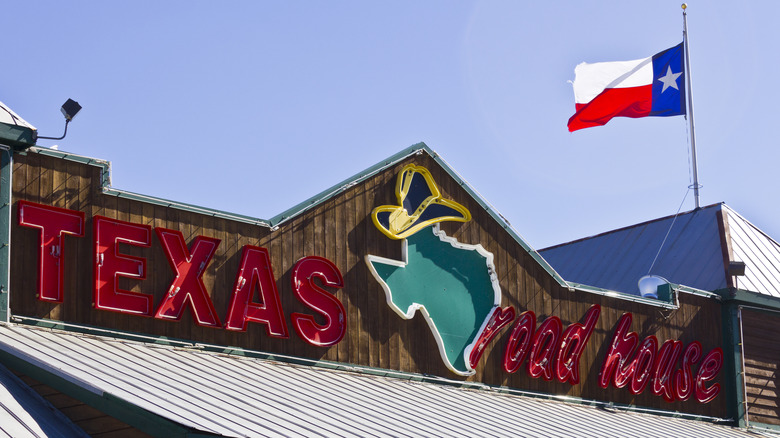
{"x":454,"y":285}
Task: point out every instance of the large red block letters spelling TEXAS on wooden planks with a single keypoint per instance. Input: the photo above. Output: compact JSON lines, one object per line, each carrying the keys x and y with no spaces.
{"x":187,"y":288}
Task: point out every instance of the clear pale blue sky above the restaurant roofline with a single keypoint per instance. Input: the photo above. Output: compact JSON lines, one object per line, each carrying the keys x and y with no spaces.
{"x":252,"y":107}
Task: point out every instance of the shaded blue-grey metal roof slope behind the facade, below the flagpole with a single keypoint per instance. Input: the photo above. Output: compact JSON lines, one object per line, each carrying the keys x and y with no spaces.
{"x":691,"y":254}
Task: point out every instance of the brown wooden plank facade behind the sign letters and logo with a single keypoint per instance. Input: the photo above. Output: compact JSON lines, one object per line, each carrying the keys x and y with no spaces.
{"x":338,"y":227}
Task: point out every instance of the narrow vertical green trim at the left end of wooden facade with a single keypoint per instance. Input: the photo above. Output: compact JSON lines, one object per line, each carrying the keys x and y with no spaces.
{"x":6,"y":171}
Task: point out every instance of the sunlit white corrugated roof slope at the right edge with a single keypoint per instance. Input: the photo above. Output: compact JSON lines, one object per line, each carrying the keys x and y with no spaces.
{"x":760,"y":253}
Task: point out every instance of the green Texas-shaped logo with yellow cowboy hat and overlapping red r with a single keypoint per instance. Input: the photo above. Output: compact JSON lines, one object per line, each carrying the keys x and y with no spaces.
{"x":453,"y":284}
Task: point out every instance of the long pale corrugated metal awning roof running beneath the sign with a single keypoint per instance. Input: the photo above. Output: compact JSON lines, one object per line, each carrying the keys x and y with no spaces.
{"x":239,"y":396}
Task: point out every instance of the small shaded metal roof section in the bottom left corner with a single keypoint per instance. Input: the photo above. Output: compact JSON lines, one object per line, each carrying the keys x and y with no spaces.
{"x":25,"y":414}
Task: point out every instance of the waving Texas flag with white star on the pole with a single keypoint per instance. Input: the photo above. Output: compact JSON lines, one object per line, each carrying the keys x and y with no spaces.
{"x":652,"y":86}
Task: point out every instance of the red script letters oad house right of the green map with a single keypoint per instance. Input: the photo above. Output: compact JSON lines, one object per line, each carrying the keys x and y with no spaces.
{"x":628,"y":362}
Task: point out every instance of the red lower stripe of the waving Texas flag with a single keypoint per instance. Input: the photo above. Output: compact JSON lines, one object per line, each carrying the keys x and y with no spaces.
{"x":613,"y":102}
